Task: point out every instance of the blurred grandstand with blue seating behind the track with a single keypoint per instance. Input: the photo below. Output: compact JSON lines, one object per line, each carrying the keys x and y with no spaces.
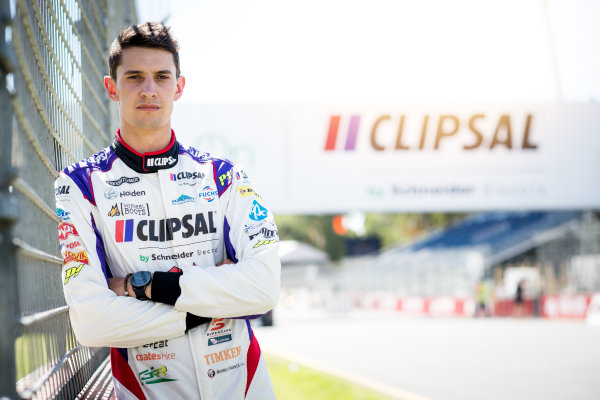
{"x":452,"y":261}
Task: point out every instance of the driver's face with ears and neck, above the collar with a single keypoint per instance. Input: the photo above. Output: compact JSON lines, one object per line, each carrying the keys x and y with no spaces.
{"x":145,"y":89}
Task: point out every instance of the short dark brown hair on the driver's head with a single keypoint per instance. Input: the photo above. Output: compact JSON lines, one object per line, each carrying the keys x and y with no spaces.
{"x":153,"y":35}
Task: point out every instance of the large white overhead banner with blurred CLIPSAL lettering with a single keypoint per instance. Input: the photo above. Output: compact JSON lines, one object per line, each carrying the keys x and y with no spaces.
{"x":320,"y":159}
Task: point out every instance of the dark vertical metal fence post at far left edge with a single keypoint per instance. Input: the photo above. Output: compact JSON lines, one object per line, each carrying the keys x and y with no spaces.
{"x":9,"y":308}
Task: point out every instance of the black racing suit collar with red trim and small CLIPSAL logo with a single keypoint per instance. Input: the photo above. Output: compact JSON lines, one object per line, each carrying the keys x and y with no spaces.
{"x":147,"y":162}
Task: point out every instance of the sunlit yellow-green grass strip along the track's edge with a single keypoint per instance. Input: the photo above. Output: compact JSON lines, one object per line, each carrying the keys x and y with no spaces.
{"x":296,"y":382}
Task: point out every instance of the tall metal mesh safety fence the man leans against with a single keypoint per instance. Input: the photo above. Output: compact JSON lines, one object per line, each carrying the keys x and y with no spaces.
{"x":53,"y":56}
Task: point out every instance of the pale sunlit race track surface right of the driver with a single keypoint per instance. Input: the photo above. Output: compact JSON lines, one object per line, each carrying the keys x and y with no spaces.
{"x":417,"y":358}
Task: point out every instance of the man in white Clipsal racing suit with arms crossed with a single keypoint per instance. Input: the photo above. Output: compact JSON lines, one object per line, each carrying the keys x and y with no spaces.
{"x":167,"y":250}
